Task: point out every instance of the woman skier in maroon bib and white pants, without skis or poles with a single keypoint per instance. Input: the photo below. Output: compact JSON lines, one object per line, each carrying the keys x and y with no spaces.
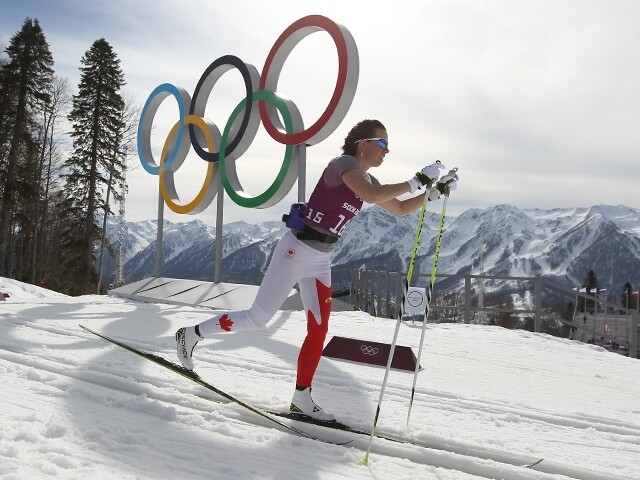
{"x":303,"y":254}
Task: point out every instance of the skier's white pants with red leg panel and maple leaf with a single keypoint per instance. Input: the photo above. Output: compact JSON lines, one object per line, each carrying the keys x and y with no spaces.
{"x":292,"y":262}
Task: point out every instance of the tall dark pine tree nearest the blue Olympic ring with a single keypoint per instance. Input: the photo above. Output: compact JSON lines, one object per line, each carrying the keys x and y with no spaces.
{"x":96,"y":117}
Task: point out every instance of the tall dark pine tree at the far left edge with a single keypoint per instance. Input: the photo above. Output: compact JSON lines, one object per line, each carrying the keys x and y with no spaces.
{"x":24,"y":84}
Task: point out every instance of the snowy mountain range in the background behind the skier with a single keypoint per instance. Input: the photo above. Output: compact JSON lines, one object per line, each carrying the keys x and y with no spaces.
{"x":560,"y":244}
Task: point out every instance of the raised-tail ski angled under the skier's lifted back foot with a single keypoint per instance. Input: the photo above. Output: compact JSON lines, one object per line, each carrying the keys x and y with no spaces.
{"x":194,"y":377}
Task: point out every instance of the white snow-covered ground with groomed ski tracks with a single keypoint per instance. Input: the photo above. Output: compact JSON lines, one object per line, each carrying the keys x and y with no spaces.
{"x":488,"y":399}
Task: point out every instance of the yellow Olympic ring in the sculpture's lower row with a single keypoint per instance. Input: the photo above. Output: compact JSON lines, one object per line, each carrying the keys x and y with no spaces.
{"x":206,"y":194}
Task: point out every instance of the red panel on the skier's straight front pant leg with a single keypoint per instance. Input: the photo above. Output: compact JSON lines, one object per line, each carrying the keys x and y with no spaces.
{"x":311,"y":349}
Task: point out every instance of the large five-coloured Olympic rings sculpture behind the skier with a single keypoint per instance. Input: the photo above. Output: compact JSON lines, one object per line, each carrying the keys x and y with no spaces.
{"x":222,"y":150}
